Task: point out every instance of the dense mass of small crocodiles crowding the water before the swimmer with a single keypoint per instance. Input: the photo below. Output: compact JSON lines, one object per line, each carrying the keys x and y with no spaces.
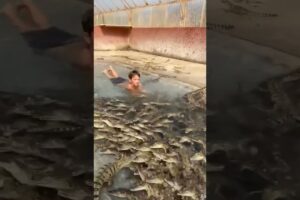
{"x":162,"y":143}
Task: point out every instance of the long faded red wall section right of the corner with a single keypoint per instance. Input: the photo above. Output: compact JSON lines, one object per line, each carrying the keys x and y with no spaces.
{"x":182,"y":43}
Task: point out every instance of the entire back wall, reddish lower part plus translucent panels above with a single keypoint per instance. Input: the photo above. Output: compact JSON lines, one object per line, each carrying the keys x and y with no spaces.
{"x":174,"y":28}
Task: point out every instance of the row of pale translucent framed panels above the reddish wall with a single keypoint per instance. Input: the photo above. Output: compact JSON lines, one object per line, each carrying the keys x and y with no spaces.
{"x":182,"y":13}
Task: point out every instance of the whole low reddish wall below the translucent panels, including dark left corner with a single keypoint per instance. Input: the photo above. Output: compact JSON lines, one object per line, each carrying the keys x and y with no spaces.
{"x":183,"y":43}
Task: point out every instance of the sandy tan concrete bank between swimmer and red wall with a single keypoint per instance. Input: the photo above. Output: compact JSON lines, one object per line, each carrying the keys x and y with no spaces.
{"x":190,"y":73}
